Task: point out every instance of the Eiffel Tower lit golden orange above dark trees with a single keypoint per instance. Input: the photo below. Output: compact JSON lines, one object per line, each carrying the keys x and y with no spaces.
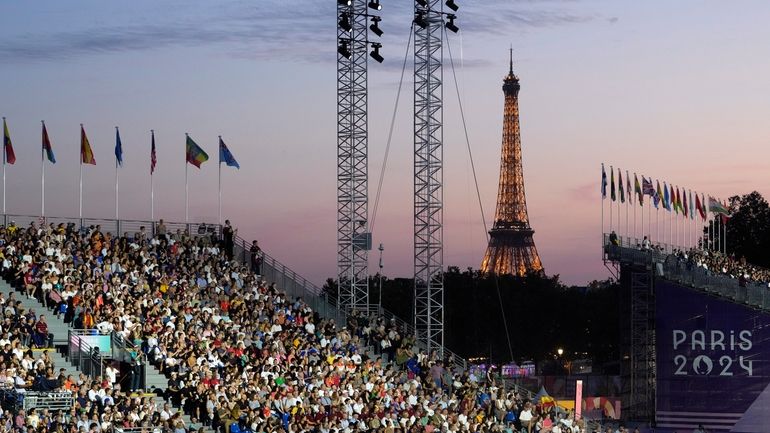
{"x":511,"y":249}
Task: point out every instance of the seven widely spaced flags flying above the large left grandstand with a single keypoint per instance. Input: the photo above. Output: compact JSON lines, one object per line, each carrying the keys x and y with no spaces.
{"x":194,"y":154}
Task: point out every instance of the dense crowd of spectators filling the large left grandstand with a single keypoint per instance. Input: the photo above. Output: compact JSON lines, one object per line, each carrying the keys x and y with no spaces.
{"x":239,"y":355}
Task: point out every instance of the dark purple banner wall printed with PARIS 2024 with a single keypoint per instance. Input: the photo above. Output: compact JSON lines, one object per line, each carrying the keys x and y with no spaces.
{"x":713,"y":363}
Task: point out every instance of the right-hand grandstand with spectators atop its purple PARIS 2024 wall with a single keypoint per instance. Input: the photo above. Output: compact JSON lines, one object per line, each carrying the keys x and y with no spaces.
{"x":695,"y":341}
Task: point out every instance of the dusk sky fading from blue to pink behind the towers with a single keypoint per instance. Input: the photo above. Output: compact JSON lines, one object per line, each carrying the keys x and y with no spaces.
{"x":674,"y":90}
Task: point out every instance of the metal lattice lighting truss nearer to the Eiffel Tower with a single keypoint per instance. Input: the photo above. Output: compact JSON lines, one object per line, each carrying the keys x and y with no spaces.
{"x":428,"y":175}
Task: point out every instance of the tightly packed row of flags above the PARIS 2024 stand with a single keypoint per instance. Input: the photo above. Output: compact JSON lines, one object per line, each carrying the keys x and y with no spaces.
{"x":670,"y":198}
